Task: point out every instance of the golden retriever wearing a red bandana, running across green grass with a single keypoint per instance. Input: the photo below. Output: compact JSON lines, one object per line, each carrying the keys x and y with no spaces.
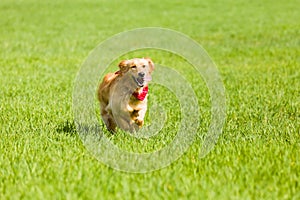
{"x":123,"y":95}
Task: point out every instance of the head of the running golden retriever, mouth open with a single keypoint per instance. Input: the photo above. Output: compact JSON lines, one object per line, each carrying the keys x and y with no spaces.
{"x":140,"y":70}
